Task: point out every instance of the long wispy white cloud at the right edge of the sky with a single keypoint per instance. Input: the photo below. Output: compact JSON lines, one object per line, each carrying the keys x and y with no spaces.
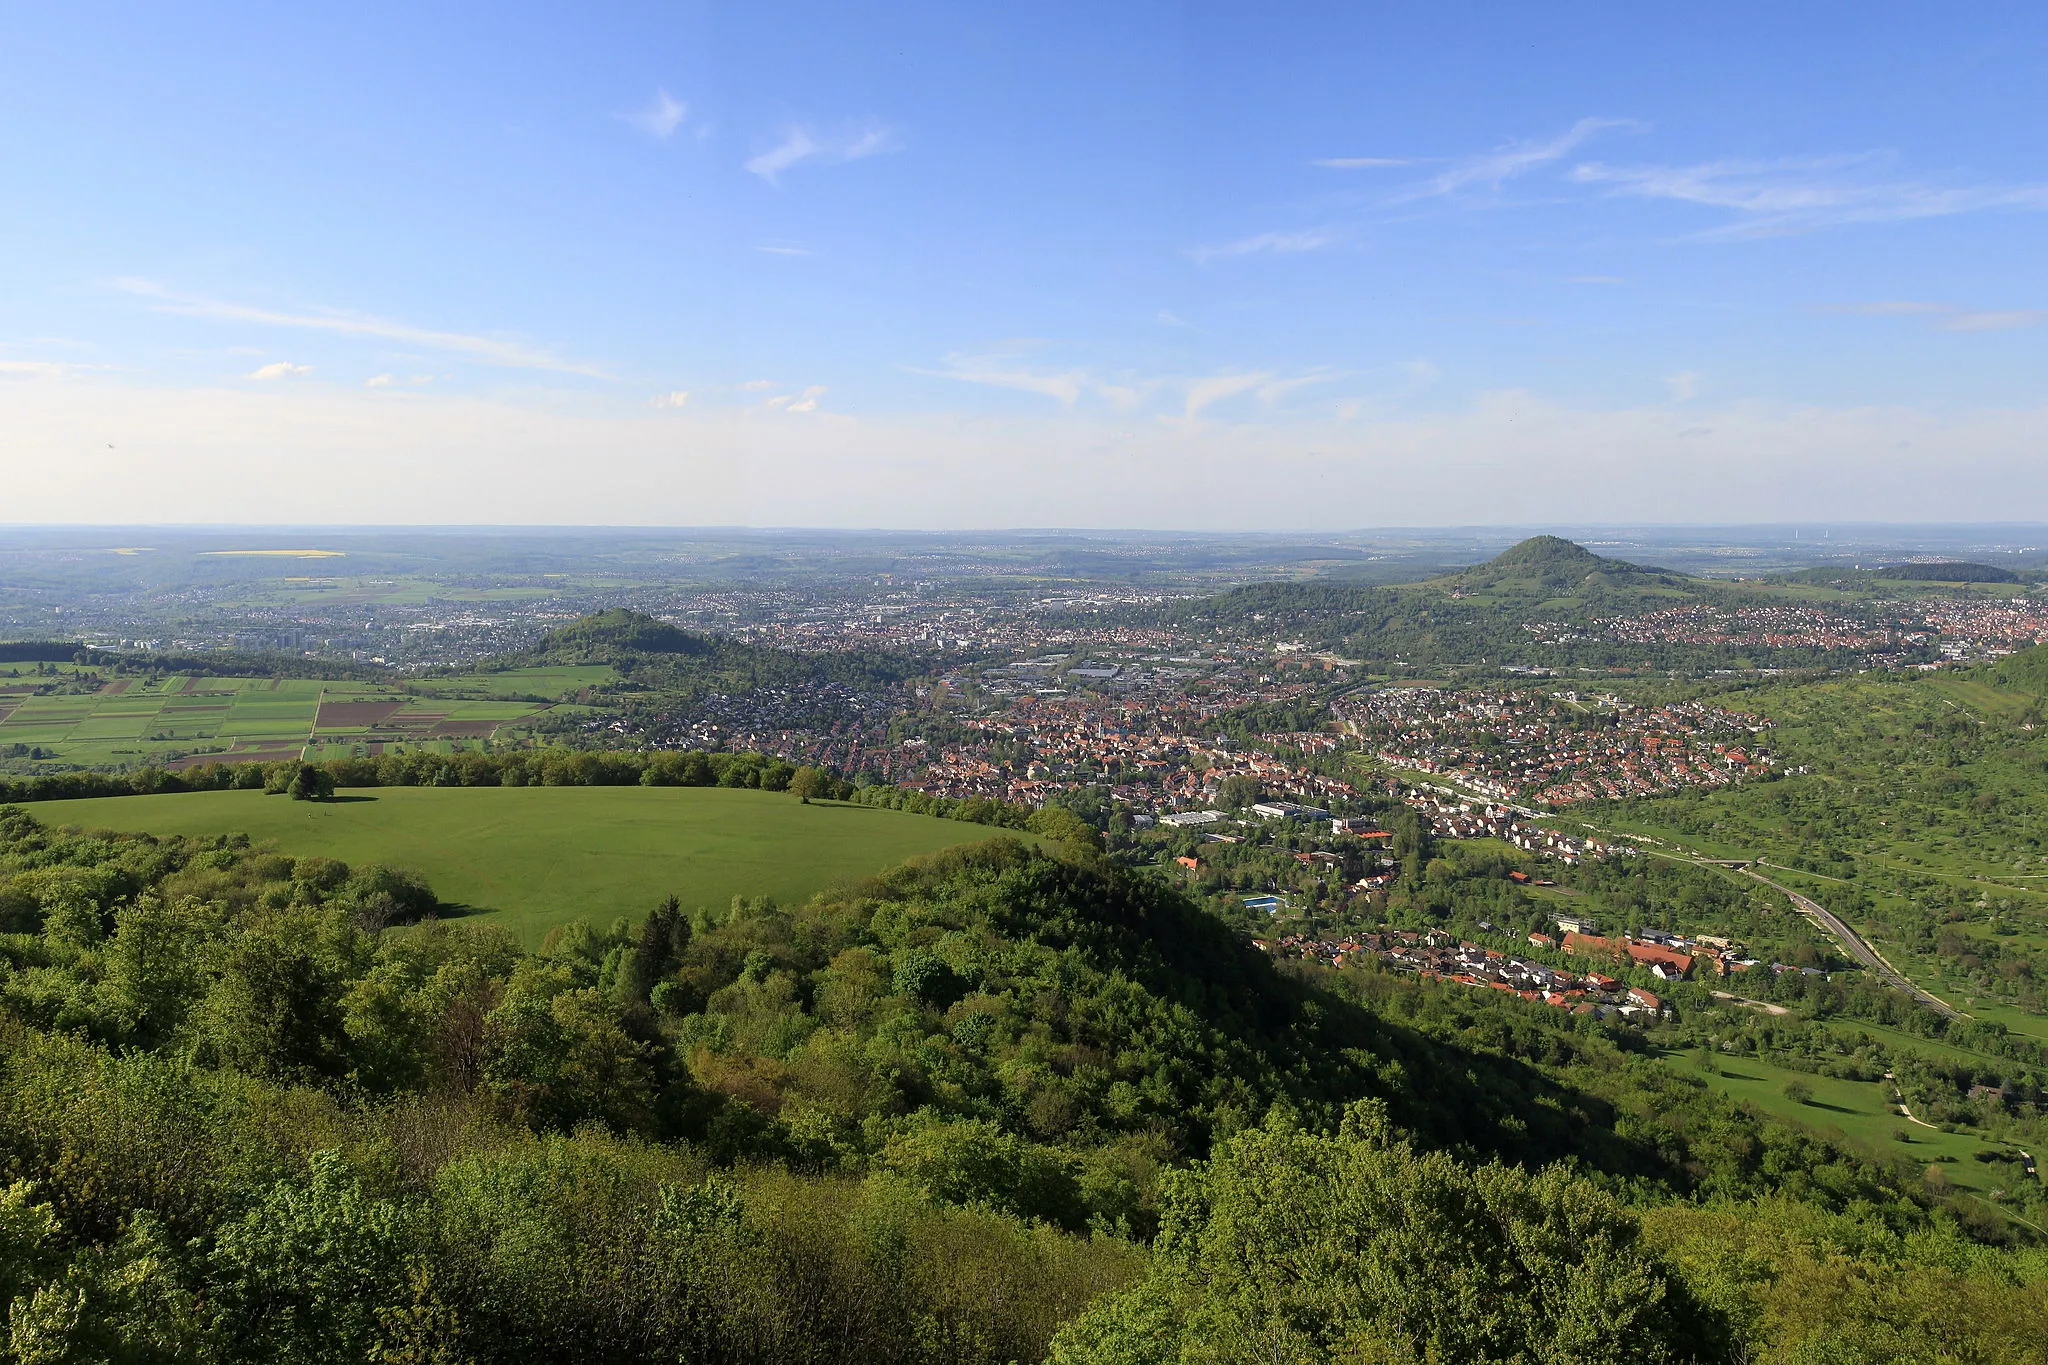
{"x":1793,"y":195}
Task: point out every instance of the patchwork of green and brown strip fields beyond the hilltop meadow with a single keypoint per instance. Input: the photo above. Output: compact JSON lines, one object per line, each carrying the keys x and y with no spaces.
{"x":194,"y":719}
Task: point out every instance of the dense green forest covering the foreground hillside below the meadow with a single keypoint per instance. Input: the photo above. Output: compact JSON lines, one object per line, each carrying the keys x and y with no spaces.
{"x":1005,"y":1104}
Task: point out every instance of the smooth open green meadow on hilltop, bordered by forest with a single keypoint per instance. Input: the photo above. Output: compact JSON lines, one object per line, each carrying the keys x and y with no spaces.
{"x":542,"y":856}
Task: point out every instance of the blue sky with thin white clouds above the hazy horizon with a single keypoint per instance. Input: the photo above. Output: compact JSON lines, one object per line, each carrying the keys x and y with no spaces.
{"x":1023,"y":265}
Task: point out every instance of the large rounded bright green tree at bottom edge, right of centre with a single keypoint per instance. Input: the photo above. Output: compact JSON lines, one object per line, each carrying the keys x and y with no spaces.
{"x":1293,"y":1245}
